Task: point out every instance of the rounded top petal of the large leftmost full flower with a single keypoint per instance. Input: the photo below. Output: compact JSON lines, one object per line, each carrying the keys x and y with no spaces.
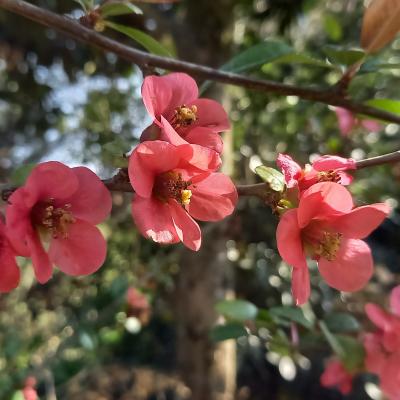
{"x":52,"y":179}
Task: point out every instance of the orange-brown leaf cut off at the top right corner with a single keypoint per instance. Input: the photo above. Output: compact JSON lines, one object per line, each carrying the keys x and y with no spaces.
{"x":381,"y":23}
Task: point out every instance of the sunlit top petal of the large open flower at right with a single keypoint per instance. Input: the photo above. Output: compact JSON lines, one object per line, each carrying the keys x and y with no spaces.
{"x":323,"y":200}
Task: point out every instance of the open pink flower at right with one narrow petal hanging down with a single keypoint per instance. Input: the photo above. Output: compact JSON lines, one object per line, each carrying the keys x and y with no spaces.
{"x":327,"y":228}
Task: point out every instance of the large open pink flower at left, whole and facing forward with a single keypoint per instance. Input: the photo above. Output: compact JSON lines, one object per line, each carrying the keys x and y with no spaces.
{"x":51,"y":219}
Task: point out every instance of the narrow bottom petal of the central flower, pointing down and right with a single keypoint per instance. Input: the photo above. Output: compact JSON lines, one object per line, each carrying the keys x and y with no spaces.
{"x":186,"y":228}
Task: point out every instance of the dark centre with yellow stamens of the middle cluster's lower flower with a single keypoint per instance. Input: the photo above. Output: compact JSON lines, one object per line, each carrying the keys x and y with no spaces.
{"x":170,"y":185}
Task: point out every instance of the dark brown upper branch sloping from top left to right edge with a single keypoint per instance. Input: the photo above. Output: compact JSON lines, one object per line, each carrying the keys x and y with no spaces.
{"x":83,"y":34}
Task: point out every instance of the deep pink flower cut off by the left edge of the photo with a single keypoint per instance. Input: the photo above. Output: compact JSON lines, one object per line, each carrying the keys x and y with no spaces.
{"x":9,"y":271}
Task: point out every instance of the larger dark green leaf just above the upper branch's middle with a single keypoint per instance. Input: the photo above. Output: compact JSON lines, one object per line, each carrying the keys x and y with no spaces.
{"x":257,"y":55}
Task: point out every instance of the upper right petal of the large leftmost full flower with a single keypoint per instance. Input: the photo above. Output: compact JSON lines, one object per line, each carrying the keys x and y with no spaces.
{"x":92,"y":202}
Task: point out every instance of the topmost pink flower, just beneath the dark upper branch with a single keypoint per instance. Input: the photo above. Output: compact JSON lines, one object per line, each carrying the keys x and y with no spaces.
{"x":179,"y":115}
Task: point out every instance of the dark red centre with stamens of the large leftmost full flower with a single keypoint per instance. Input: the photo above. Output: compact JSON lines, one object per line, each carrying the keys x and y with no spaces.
{"x":53,"y":220}
